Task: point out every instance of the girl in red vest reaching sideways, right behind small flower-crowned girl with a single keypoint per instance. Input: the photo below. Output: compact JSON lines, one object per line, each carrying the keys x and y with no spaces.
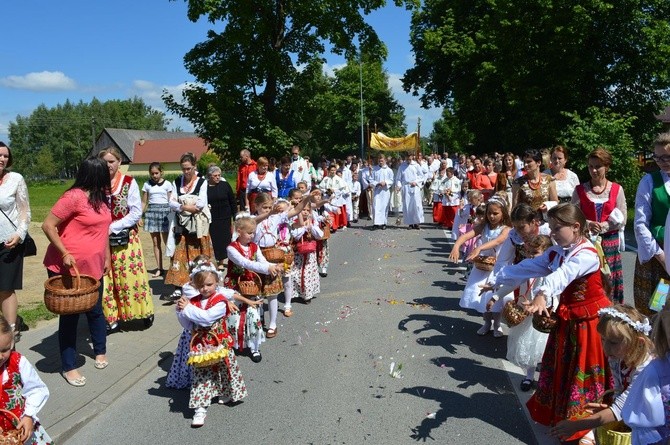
{"x":244,"y":260}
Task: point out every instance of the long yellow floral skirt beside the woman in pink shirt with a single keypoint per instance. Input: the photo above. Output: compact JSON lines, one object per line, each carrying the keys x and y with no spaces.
{"x":126,"y":291}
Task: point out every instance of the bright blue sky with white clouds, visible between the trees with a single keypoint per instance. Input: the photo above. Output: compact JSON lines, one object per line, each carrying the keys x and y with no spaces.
{"x":116,"y":49}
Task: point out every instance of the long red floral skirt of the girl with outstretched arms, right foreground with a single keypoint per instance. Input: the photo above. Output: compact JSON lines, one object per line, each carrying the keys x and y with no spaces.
{"x":574,"y":372}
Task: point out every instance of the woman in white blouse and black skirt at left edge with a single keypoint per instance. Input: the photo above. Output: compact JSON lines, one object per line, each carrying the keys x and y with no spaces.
{"x":14,"y":224}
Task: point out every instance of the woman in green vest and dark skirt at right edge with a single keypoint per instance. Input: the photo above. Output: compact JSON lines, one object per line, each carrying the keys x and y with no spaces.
{"x":652,"y":202}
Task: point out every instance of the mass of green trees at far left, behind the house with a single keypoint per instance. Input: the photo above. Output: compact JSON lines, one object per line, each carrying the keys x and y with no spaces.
{"x":67,"y":131}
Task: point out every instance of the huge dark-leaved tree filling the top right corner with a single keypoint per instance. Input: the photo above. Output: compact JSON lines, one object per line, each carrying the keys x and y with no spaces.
{"x":509,"y":69}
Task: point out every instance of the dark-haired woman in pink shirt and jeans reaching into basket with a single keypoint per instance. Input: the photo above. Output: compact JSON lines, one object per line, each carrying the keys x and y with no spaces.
{"x":77,"y":228}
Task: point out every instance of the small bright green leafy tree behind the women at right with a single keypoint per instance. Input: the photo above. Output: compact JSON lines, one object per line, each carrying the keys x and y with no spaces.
{"x":611,"y":131}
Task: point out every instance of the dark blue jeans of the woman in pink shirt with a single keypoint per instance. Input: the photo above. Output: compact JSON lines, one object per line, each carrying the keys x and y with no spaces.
{"x":67,"y":332}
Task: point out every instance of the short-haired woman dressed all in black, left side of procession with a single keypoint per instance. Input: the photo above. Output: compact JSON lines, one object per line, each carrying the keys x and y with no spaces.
{"x":221,"y":199}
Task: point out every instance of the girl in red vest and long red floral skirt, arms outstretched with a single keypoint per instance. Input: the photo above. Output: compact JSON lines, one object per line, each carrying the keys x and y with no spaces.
{"x":574,"y":367}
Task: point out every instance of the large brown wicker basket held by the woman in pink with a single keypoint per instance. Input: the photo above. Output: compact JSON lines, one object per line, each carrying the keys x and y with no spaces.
{"x":65,"y":294}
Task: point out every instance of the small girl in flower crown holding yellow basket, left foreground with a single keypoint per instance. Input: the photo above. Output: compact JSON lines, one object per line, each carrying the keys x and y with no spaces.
{"x":216,"y":372}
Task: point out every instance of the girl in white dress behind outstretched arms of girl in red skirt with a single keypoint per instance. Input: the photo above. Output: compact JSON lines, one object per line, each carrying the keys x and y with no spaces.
{"x":525,"y":344}
